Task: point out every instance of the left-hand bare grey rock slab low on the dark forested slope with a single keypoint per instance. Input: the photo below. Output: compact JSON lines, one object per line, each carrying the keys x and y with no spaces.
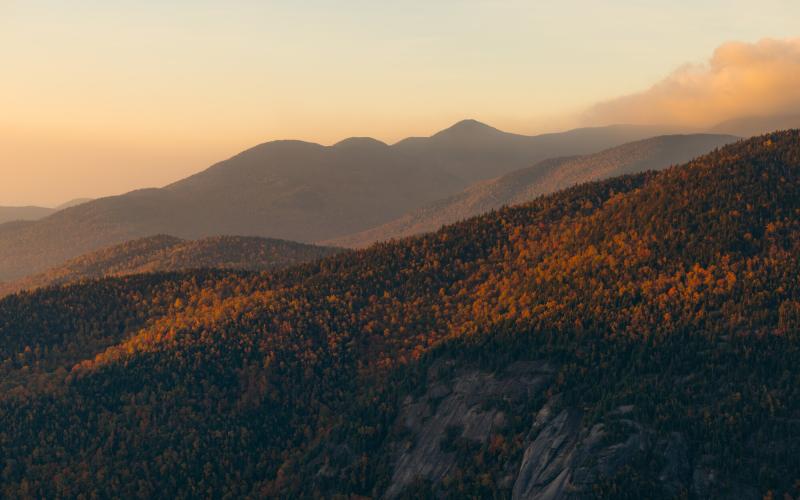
{"x":458,"y":408}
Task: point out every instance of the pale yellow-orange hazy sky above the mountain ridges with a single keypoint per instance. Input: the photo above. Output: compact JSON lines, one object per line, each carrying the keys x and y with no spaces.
{"x":101,"y":97}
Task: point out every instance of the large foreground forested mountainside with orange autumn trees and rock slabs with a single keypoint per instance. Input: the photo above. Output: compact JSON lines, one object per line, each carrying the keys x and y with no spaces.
{"x":634,"y":337}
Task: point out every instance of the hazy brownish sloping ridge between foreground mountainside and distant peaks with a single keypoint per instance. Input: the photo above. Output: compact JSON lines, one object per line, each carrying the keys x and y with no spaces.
{"x":545,"y":177}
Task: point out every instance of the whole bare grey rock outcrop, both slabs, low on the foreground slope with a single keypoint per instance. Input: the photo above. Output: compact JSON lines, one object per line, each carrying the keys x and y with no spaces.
{"x":565,"y":457}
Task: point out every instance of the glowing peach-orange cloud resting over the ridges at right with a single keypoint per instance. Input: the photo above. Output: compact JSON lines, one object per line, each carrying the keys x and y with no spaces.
{"x":740,"y":79}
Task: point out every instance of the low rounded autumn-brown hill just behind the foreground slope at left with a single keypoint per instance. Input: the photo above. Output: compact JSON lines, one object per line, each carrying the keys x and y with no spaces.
{"x":166,"y":253}
